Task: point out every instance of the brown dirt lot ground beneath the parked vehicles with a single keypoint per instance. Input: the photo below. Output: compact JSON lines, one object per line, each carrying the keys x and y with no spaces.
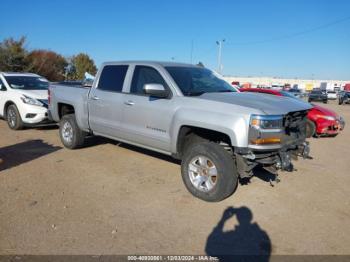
{"x":115,"y":199}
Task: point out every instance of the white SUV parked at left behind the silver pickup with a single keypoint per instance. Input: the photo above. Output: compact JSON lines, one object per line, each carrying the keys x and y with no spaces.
{"x":23,"y":99}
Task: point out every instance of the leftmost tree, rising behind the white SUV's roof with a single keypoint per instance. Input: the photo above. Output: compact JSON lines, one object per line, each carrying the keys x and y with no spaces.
{"x":13,"y":55}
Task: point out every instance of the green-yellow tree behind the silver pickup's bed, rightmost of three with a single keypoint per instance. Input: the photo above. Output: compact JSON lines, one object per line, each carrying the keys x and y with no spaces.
{"x":82,"y":63}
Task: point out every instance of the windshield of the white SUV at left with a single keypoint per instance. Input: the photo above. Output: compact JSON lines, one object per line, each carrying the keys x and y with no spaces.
{"x":27,"y":82}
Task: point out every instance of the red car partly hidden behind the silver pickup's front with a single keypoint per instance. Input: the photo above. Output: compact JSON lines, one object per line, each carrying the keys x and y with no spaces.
{"x":321,"y":121}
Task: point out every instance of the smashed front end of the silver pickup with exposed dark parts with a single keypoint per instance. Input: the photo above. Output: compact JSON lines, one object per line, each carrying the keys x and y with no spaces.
{"x":278,"y":156}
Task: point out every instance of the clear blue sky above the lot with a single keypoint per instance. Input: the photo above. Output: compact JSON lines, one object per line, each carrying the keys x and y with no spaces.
{"x":290,"y":38}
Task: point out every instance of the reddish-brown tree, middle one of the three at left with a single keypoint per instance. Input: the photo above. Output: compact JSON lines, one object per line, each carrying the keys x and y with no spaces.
{"x":47,"y":63}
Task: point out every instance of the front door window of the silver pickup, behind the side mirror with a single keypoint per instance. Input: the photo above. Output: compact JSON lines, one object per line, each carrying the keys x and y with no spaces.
{"x":145,"y":75}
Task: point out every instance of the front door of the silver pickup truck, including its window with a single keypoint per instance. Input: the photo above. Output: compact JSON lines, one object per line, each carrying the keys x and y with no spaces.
{"x":147,"y":119}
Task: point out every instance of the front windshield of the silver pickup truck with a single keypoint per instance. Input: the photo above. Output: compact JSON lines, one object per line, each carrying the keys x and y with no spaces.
{"x":195,"y":81}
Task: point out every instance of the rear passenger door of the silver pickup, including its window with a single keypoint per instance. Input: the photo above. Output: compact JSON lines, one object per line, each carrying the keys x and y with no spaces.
{"x":106,"y":100}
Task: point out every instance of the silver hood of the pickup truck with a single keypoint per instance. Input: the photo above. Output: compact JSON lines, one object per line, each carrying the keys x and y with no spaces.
{"x":268,"y":104}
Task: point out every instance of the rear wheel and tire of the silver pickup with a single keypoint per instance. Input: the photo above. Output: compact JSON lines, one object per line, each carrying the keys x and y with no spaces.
{"x":71,"y":135}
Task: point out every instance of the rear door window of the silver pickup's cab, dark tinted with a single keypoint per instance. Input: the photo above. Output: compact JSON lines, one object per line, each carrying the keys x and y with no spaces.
{"x":112,"y":78}
